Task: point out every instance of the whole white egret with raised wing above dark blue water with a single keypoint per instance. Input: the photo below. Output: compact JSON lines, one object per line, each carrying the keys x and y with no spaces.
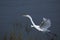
{"x":45,"y":24}
